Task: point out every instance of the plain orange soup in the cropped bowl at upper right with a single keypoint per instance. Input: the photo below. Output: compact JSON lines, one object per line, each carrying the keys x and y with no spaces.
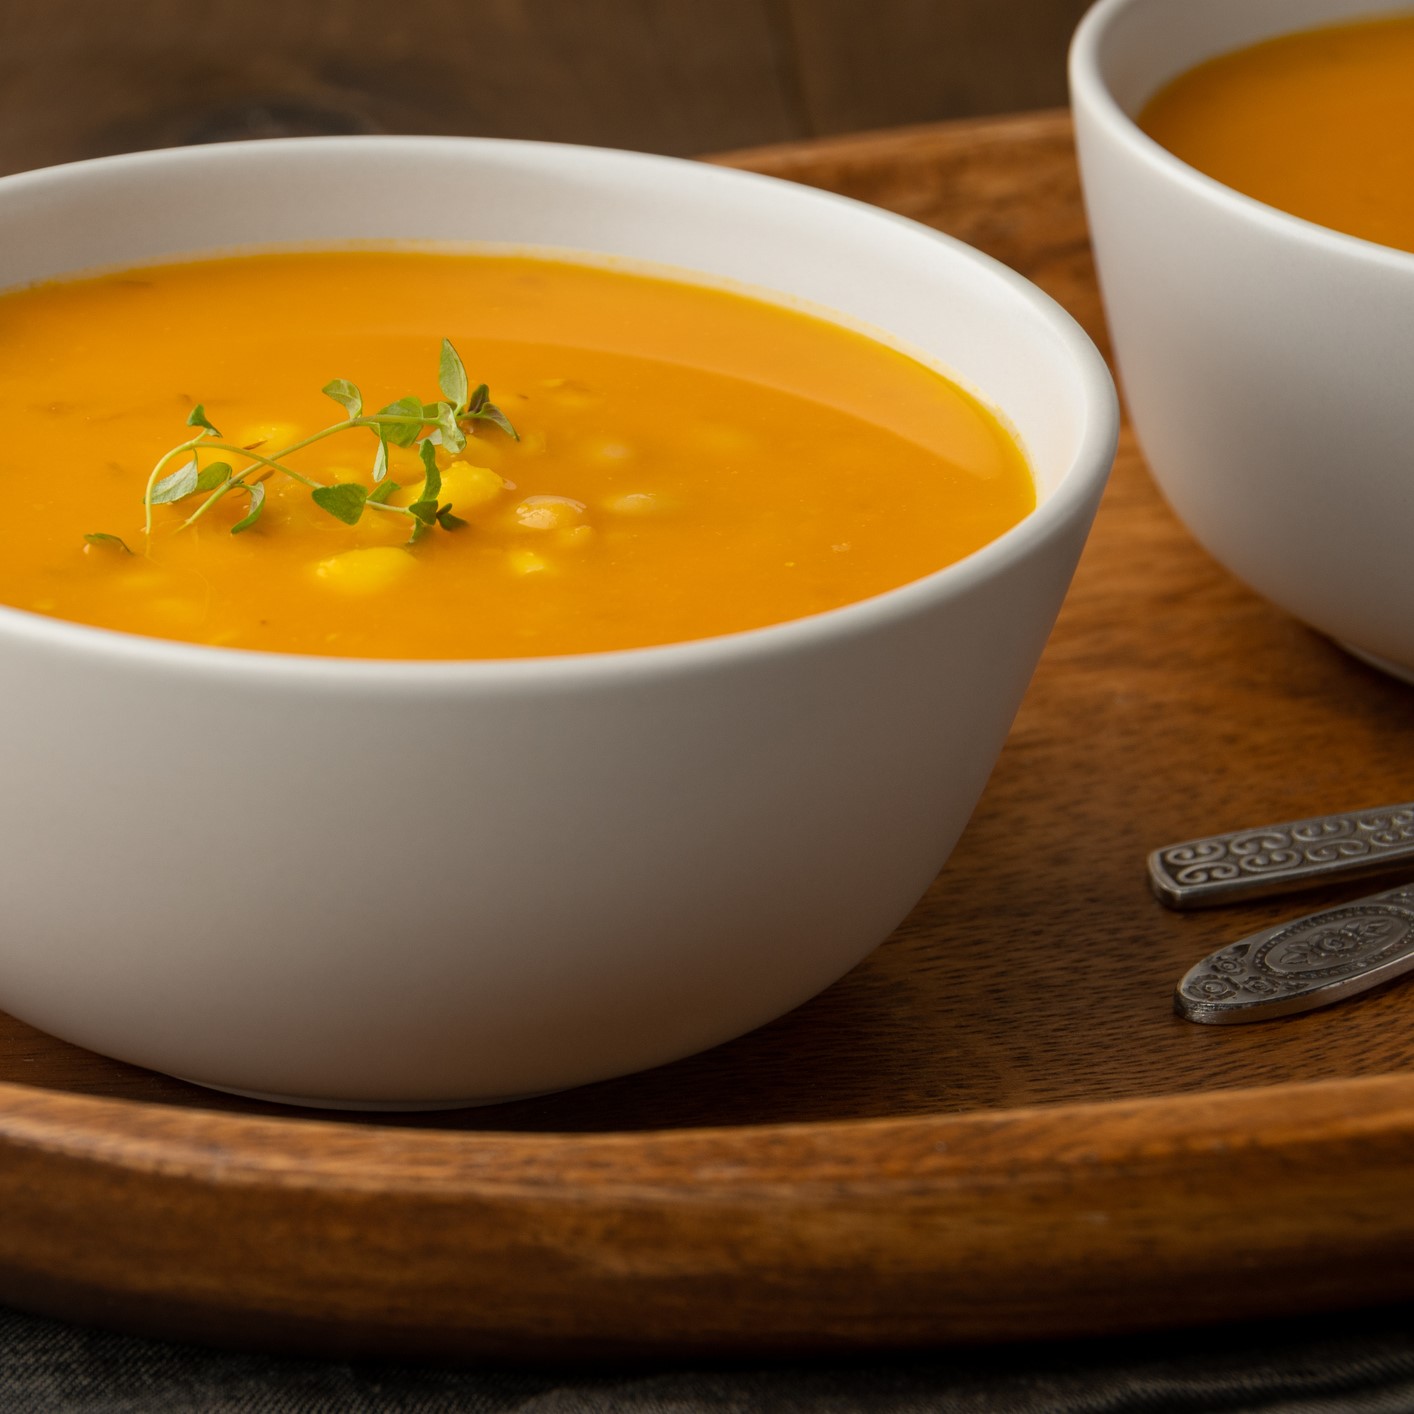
{"x":1319,"y":124}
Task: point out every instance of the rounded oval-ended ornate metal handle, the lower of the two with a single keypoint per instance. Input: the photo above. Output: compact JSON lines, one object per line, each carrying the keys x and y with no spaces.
{"x":1300,"y":966}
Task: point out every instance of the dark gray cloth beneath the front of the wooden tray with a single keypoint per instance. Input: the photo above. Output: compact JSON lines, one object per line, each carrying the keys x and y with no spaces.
{"x":1360,"y":1364}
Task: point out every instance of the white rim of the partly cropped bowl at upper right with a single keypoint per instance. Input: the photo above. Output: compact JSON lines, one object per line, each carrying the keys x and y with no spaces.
{"x":1091,"y":94}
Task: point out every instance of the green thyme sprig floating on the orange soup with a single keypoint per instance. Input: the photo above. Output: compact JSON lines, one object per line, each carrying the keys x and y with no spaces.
{"x":404,"y":423}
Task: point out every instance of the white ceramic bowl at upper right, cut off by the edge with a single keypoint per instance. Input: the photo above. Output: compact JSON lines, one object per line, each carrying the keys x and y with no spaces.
{"x":1266,"y":361}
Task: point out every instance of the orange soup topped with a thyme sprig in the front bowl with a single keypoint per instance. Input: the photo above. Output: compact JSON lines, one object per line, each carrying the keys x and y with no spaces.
{"x":651,"y":460}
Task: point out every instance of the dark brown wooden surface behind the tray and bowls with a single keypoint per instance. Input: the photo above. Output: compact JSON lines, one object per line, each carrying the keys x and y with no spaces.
{"x":81,"y":78}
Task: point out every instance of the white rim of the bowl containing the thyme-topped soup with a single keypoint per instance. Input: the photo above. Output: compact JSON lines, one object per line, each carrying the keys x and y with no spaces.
{"x":1071,"y":496}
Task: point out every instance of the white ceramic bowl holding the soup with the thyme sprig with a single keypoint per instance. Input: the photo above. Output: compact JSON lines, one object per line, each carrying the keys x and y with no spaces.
{"x":610,"y":860}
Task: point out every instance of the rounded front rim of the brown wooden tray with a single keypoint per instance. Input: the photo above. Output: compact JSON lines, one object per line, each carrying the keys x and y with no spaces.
{"x":326,"y":1238}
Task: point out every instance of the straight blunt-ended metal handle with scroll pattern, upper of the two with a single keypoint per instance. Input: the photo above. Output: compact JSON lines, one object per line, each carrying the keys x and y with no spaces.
{"x":1225,"y":869}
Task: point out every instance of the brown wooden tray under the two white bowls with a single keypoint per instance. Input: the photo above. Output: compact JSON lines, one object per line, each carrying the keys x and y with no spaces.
{"x":992,"y":1129}
